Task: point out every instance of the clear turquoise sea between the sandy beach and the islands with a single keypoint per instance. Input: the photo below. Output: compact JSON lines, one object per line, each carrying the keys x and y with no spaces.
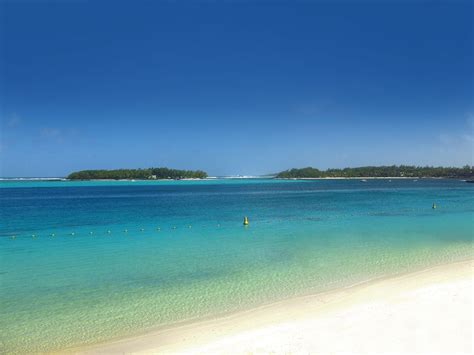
{"x":304,"y":237}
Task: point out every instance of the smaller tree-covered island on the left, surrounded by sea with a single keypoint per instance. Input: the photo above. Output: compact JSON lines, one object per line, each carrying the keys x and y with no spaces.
{"x":139,"y":174}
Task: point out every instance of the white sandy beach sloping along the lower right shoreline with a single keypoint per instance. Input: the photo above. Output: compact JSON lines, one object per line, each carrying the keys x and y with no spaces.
{"x":430,"y":311}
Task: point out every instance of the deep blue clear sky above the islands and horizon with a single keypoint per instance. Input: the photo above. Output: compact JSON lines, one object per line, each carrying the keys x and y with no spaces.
{"x":234,"y":87}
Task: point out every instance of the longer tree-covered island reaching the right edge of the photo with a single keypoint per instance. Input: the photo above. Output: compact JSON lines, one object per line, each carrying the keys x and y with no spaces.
{"x":401,"y":171}
